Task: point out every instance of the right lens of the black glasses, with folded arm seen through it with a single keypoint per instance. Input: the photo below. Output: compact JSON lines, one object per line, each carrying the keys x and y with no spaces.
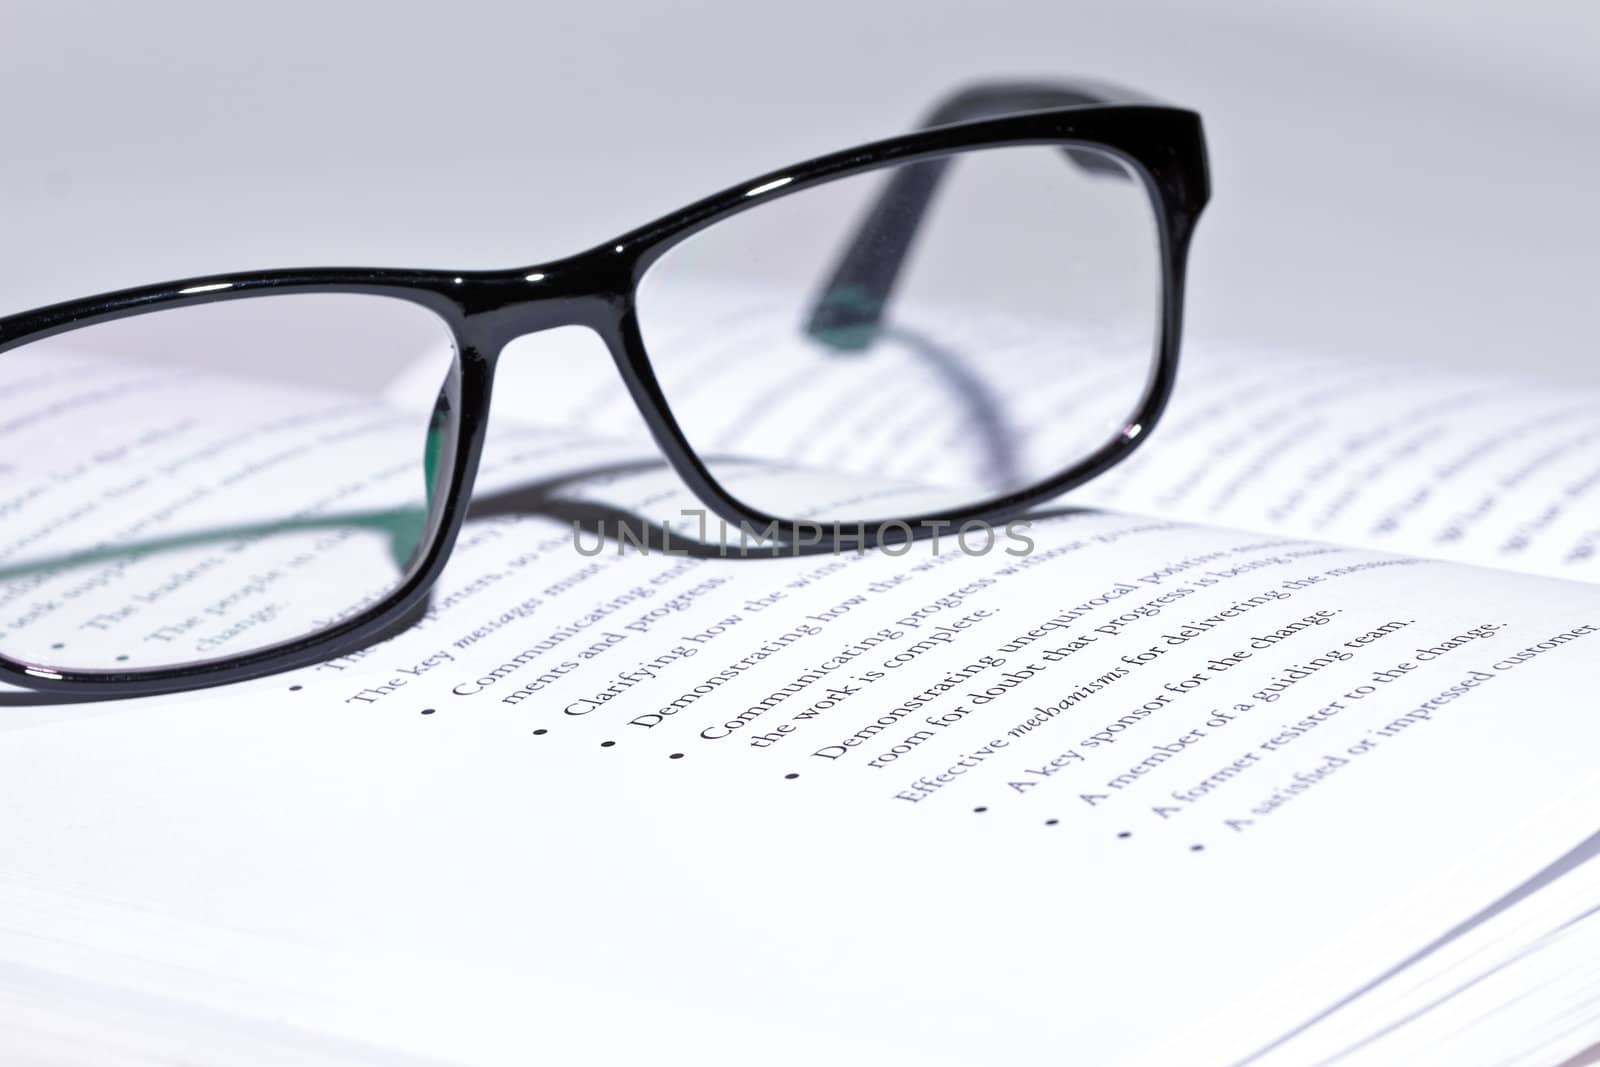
{"x":866,"y":351}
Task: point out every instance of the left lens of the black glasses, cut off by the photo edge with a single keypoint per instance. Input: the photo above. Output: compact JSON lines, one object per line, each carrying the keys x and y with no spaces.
{"x":169,"y":495}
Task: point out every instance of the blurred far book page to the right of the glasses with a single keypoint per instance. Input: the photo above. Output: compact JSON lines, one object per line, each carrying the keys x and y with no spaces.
{"x":1465,"y":468}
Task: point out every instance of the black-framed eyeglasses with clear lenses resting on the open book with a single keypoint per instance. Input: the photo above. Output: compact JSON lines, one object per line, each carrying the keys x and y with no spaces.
{"x":921,"y":334}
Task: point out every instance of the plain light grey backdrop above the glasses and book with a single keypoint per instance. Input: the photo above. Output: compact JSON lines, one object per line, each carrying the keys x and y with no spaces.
{"x":1407,"y":180}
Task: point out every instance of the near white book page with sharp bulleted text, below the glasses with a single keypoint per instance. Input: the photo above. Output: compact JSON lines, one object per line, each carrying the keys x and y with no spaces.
{"x":454,"y":885}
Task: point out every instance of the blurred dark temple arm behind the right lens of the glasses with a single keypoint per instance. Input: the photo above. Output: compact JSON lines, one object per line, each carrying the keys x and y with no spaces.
{"x":850,"y":310}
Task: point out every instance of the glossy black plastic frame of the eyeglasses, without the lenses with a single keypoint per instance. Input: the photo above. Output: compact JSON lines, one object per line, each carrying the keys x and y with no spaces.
{"x":486,"y":310}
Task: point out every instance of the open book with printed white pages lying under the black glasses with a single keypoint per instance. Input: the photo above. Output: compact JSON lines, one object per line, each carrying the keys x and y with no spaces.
{"x":1204,"y":773}
